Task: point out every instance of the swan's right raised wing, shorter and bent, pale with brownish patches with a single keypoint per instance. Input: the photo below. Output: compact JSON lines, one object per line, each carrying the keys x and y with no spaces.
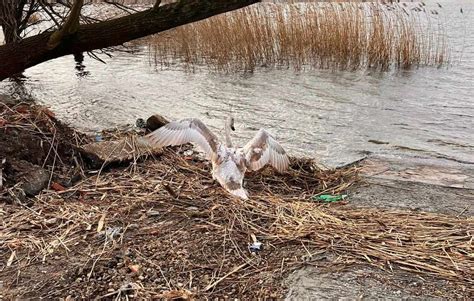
{"x":263,"y":149}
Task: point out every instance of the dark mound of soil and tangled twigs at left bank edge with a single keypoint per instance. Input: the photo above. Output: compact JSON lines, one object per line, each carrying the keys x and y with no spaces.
{"x":38,"y":150}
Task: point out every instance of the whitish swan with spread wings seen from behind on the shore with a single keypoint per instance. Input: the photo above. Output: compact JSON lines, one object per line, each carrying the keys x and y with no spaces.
{"x":229,"y":164}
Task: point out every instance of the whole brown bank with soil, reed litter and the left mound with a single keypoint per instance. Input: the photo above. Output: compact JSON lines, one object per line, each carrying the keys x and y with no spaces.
{"x":160,"y":227}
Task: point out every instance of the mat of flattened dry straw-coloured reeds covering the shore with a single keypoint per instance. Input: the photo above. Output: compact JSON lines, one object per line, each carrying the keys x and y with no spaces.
{"x":201,"y":230}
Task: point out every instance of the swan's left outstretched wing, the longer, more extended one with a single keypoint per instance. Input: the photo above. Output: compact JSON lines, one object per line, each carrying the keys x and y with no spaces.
{"x":185,"y":131}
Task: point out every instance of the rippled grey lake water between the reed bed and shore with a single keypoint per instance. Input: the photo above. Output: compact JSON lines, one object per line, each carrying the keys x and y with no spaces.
{"x":335,"y":117}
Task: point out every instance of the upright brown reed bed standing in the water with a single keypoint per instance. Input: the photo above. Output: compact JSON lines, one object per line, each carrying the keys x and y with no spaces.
{"x":310,"y":35}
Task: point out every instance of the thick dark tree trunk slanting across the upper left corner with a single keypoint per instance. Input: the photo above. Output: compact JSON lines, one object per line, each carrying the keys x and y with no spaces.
{"x":16,"y":57}
